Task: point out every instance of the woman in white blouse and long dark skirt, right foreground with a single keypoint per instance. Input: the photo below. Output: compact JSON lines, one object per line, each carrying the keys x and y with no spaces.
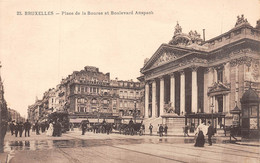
{"x":201,"y":132}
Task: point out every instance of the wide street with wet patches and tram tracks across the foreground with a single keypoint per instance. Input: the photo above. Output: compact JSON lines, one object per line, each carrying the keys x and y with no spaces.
{"x":73,"y":147}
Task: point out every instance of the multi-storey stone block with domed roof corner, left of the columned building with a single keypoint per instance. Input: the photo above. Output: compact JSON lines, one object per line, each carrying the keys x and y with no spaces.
{"x":88,"y":91}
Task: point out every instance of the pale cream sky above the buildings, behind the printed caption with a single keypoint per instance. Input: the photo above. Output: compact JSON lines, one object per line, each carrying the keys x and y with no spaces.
{"x":36,"y":52}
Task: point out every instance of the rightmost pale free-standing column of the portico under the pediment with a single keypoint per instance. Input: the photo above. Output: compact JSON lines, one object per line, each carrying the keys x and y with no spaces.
{"x":194,"y":90}
